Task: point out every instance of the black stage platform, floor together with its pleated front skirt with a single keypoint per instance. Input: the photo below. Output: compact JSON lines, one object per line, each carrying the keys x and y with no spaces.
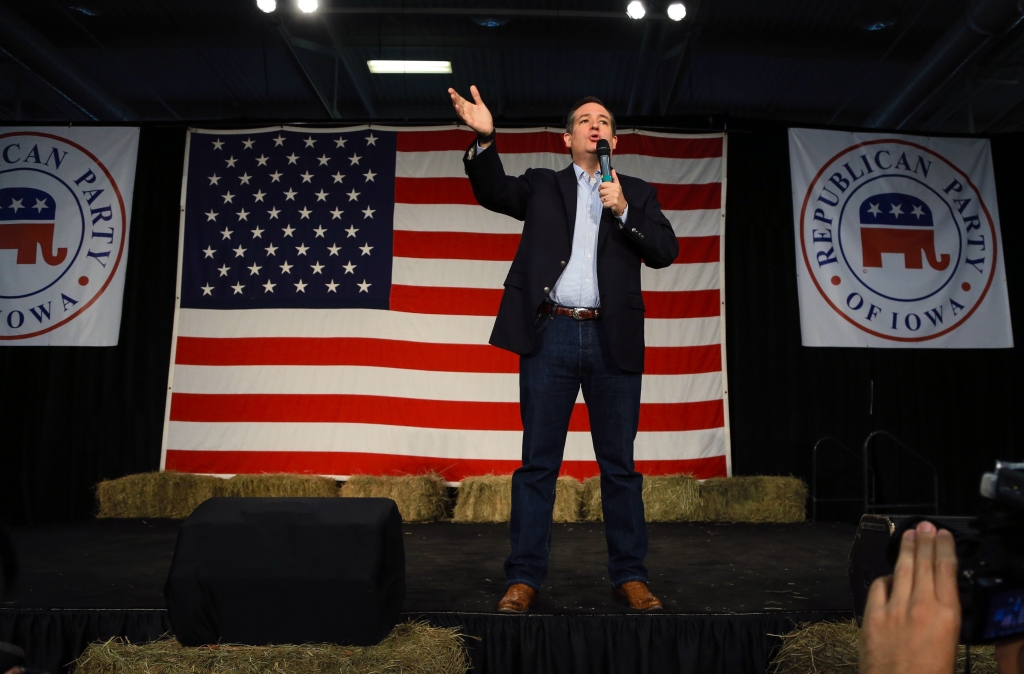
{"x":729,"y":589}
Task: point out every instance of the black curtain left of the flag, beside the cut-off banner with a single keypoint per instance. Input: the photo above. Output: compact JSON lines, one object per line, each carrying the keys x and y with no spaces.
{"x":71,"y":417}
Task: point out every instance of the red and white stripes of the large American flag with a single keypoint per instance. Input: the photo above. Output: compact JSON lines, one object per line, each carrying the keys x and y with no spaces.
{"x":418,"y":389}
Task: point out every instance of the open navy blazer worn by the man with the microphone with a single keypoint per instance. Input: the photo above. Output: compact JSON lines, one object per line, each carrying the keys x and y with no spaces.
{"x":546,"y":201}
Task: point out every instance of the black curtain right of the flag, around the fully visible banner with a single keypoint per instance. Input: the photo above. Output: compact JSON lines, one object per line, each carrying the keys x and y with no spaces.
{"x":959,"y":408}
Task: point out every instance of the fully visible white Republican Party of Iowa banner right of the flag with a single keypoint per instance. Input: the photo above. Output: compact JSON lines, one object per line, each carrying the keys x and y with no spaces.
{"x":898,"y":242}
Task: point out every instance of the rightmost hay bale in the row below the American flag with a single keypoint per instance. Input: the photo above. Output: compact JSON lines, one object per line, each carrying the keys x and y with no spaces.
{"x":754,"y":498}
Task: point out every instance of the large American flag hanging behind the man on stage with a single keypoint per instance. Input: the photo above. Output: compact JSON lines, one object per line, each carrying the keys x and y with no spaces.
{"x":337,"y":289}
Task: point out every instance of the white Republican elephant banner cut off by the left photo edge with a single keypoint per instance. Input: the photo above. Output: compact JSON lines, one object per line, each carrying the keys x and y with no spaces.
{"x":65,"y":205}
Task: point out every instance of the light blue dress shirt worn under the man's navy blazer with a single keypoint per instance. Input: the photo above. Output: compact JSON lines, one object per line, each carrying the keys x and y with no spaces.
{"x":578,"y":284}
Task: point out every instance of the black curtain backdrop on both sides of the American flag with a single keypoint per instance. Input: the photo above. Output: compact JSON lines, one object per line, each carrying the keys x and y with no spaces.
{"x":72,"y":417}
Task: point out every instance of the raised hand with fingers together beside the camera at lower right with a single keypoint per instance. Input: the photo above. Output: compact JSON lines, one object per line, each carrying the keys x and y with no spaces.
{"x":913,"y":619}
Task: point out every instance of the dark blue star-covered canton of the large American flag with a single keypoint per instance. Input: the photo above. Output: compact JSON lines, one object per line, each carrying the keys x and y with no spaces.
{"x":289,"y":220}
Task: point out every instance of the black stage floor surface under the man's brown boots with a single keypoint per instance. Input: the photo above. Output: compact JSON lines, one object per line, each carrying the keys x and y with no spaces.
{"x":696,"y":569}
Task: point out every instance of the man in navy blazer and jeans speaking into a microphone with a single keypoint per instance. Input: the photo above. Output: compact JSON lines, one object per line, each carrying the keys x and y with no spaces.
{"x":574,"y":312}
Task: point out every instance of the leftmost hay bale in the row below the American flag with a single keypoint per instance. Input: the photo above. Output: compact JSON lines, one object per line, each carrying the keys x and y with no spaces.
{"x":165,"y":494}
